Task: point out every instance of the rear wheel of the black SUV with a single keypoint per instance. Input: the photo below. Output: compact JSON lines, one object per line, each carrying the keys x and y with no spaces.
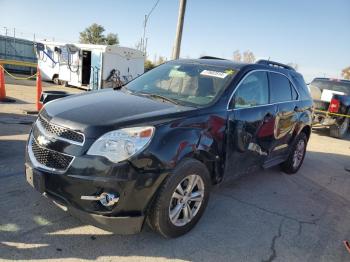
{"x":296,"y":156}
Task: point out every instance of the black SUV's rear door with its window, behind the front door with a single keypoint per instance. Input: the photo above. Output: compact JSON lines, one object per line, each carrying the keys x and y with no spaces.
{"x":285,"y":96}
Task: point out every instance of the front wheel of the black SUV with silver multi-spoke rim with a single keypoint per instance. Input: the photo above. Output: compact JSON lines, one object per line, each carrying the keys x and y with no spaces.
{"x":181,"y":200}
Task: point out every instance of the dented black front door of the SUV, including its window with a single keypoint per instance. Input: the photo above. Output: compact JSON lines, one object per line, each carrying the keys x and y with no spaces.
{"x":251,"y":120}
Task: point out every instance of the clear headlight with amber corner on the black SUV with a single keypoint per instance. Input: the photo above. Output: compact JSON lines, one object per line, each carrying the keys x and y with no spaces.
{"x":121,"y":144}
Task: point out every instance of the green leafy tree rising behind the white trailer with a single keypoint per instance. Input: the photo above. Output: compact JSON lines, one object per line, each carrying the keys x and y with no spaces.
{"x":94,"y":35}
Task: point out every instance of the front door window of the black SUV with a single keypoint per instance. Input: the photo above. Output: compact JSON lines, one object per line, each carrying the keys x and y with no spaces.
{"x":252,"y":91}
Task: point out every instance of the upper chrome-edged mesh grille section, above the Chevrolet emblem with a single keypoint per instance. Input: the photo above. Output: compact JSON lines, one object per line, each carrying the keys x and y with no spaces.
{"x":61,"y":132}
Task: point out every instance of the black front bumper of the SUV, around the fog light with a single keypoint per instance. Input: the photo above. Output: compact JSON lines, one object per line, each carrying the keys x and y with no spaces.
{"x":134,"y":188}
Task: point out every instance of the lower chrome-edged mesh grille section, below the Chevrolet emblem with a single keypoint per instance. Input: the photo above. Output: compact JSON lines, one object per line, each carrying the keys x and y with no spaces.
{"x":50,"y":159}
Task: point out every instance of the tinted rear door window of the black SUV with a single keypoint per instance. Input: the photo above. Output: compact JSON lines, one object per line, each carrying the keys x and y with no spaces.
{"x":279,"y":88}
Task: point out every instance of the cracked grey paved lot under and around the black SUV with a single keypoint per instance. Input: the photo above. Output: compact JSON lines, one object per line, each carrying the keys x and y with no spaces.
{"x":264,"y":216}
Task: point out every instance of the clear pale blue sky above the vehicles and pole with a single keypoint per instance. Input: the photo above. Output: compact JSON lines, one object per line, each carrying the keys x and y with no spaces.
{"x":313,"y":34}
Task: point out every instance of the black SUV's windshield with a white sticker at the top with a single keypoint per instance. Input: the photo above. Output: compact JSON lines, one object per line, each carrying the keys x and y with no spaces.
{"x":183,"y":83}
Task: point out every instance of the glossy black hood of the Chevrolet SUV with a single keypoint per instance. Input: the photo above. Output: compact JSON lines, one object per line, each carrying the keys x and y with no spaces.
{"x":107,"y":109}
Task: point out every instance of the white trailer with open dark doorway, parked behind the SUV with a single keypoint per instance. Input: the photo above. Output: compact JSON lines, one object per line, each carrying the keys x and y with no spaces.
{"x":89,"y":66}
